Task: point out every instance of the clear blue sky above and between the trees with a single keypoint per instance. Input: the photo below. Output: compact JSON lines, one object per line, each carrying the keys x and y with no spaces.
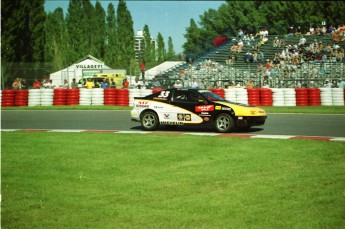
{"x":170,"y":18}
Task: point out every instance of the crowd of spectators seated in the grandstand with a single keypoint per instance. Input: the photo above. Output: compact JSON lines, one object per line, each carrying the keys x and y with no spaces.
{"x":309,"y":50}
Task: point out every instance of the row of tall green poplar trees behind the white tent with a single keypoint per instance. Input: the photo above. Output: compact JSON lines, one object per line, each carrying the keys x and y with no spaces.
{"x":36,"y":43}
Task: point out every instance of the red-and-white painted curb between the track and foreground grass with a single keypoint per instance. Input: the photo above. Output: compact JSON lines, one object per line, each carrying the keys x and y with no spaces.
{"x":253,"y":136}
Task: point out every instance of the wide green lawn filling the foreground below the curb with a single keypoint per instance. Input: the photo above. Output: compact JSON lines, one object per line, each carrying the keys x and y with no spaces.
{"x":90,"y":180}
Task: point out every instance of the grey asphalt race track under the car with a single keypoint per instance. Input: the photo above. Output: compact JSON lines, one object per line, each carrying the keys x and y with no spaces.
{"x":276,"y":124}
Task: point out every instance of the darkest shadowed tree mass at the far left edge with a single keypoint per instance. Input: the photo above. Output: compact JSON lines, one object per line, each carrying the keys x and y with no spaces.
{"x":22,"y":25}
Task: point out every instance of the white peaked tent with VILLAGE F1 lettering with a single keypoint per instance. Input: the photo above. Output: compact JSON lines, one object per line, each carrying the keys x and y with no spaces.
{"x":85,"y":67}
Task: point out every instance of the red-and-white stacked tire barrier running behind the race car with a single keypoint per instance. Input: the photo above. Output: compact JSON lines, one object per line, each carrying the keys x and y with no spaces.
{"x":125,"y":97}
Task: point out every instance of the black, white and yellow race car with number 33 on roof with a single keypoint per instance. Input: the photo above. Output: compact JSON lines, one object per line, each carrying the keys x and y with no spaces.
{"x":194,"y":107}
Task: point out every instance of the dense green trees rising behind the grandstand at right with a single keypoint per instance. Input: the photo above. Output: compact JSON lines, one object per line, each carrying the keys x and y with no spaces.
{"x":251,"y":16}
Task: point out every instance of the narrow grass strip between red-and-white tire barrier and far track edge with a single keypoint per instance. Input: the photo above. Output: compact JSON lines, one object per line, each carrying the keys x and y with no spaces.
{"x":297,"y":109}
